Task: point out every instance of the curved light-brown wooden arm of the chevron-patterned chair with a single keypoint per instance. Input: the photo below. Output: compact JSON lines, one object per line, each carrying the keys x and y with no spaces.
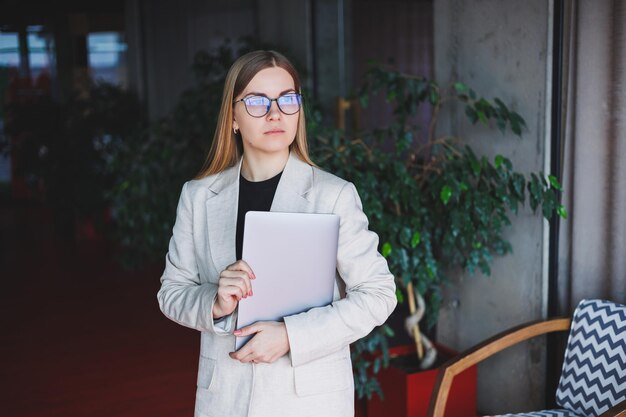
{"x":471,"y":357}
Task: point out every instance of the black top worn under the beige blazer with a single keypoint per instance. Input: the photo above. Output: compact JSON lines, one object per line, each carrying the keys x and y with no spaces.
{"x":253,"y":196}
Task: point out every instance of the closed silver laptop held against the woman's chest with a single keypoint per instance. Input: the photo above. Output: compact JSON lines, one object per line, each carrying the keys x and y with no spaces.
{"x":294,"y":258}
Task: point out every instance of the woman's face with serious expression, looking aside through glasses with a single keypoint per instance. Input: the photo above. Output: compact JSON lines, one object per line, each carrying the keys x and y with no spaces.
{"x":274,"y":132}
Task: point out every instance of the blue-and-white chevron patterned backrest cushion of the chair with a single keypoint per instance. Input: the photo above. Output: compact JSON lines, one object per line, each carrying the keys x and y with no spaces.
{"x":594,"y":370}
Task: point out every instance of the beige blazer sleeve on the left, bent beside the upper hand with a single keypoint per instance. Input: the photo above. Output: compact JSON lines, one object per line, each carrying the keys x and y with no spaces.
{"x":182,"y":297}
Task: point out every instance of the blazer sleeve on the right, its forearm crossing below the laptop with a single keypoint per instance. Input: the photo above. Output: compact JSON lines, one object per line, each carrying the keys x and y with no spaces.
{"x":370,"y":290}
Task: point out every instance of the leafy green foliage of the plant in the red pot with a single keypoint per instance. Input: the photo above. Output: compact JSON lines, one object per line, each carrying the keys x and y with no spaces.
{"x":436,"y":205}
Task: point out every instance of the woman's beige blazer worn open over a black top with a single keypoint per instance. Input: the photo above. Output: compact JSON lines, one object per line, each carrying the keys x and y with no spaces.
{"x":315,"y":378}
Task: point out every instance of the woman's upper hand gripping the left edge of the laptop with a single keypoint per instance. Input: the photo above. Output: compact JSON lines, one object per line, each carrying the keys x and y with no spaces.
{"x":233,"y":285}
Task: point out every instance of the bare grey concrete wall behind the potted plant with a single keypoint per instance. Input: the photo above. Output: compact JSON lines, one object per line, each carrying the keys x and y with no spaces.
{"x":501,"y":49}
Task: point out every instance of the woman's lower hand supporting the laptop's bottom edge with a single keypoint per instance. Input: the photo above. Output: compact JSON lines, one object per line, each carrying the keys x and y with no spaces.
{"x":268,"y":344}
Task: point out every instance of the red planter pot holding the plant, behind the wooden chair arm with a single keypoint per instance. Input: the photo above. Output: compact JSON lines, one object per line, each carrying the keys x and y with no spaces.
{"x":408,"y":394}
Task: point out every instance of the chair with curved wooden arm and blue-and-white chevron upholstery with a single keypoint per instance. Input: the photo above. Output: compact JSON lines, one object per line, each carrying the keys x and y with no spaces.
{"x":593,"y":377}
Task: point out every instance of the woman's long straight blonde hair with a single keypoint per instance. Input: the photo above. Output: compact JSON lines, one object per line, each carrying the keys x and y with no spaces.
{"x":226,"y":149}
